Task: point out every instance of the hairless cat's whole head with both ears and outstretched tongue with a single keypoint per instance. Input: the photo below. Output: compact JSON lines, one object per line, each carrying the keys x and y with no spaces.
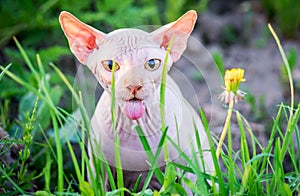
{"x":138,"y":56}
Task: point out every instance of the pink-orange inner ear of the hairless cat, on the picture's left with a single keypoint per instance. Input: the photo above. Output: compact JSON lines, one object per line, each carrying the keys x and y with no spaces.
{"x":82,"y":38}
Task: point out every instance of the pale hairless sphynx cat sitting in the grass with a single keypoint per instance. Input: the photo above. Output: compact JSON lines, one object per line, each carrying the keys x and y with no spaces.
{"x":139,"y":58}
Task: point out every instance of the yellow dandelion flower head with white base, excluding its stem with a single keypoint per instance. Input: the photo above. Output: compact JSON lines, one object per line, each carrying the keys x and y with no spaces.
{"x":232,"y":80}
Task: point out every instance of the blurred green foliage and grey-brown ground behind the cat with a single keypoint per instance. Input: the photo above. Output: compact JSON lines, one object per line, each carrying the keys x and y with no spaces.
{"x":234,"y":31}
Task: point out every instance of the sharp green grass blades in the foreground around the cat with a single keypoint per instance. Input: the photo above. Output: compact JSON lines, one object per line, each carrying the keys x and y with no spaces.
{"x":252,"y":170}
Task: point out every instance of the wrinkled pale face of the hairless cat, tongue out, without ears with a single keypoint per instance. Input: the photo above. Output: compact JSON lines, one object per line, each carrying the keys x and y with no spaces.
{"x":139,"y":63}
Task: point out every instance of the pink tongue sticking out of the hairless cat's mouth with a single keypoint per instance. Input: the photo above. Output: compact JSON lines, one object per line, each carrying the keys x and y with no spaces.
{"x":134,"y":109}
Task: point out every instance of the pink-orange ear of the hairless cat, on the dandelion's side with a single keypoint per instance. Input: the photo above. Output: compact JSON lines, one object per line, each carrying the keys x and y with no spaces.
{"x":180,"y":30}
